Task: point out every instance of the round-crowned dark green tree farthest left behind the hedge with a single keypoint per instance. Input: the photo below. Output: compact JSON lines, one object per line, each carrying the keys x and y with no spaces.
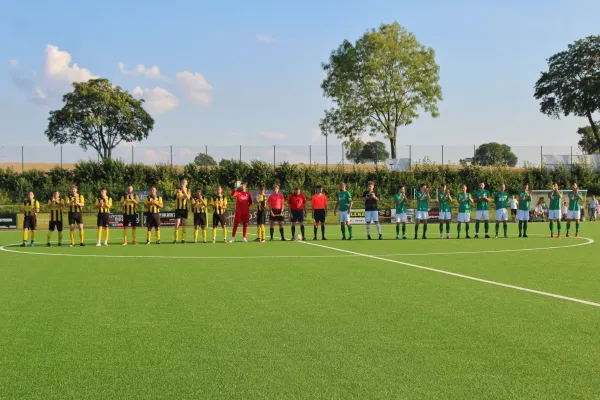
{"x":99,"y":116}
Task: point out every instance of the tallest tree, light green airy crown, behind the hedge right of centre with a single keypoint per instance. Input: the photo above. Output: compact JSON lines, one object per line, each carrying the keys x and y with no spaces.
{"x":380,"y":83}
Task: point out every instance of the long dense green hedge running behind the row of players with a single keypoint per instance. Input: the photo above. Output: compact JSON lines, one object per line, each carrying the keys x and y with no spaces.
{"x":116,"y":175}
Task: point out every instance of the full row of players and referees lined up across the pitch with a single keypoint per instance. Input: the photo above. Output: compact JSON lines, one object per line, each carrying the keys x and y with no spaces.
{"x":297,"y":202}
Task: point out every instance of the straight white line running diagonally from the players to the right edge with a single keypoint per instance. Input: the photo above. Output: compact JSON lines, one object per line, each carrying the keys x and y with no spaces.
{"x":472,"y":278}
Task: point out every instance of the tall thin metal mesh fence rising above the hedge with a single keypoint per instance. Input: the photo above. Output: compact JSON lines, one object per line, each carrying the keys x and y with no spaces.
{"x":28,"y":157}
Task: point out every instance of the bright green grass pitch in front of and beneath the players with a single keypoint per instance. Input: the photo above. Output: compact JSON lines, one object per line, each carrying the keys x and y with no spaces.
{"x":303,"y":321}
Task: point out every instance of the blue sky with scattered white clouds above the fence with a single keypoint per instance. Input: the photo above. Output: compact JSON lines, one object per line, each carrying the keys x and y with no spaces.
{"x":248,"y":72}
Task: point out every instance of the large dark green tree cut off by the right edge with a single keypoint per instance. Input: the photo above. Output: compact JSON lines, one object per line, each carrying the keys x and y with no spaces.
{"x":572,"y":83}
